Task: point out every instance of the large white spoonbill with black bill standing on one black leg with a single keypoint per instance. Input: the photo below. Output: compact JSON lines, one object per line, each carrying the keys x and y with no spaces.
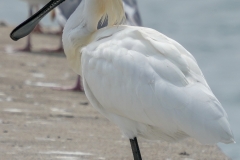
{"x":143,"y":81}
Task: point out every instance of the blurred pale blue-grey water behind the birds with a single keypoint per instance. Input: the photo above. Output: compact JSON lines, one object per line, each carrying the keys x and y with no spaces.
{"x":210,"y":30}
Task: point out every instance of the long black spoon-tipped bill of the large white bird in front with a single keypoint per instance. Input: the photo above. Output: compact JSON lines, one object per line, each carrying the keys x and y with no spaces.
{"x":27,"y":26}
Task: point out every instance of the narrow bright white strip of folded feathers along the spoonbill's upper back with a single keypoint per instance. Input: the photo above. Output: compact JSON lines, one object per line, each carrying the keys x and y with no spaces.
{"x":175,"y":53}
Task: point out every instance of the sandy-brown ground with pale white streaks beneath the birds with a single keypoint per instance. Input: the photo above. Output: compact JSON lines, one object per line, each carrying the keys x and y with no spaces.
{"x":39,"y":123}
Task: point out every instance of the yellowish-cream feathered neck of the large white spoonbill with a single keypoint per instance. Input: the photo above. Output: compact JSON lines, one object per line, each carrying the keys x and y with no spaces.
{"x":83,"y":23}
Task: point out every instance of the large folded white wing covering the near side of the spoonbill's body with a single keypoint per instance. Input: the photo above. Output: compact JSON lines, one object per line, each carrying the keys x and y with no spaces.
{"x":146,"y":77}
